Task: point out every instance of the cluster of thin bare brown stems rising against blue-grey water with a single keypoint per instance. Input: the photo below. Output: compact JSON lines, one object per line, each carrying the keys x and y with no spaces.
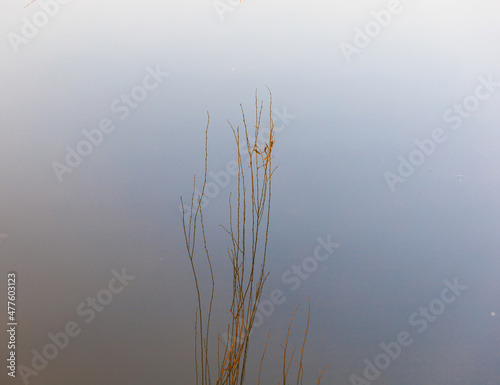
{"x":247,"y":253}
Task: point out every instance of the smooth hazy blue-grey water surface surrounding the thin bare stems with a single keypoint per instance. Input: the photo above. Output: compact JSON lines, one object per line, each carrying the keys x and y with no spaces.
{"x":119,"y":208}
